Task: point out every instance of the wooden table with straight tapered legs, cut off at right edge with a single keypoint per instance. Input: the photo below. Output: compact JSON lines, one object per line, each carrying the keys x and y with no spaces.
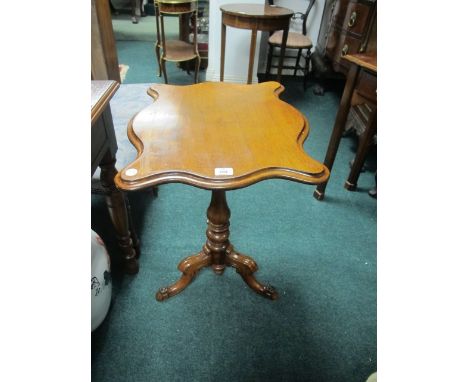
{"x":358,"y":62}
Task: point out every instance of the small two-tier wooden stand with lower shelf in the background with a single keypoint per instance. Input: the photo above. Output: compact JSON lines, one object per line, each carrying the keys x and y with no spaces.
{"x":175,"y":50}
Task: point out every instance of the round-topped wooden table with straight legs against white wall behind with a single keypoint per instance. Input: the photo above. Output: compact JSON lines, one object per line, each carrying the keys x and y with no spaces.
{"x":256,"y":17}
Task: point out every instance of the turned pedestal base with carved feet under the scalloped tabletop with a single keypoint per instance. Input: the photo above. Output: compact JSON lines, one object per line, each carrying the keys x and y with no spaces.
{"x":217,"y":253}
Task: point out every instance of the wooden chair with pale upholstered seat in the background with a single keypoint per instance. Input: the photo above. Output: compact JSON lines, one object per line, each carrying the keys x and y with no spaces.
{"x":295,"y":41}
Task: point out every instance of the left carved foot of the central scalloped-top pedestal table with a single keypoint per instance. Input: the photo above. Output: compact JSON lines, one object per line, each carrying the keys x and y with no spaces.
{"x":189,"y":268}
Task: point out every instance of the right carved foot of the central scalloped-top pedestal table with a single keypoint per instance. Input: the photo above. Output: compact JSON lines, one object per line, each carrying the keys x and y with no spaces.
{"x":246,"y":266}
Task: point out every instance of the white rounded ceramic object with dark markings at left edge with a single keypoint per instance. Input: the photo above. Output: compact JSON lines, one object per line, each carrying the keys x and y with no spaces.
{"x":101,"y":284}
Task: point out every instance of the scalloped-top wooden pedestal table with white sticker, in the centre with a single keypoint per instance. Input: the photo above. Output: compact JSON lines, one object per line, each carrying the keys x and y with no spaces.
{"x":188,"y":135}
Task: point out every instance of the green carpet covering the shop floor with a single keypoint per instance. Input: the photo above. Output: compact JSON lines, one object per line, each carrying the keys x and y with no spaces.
{"x":321,"y":257}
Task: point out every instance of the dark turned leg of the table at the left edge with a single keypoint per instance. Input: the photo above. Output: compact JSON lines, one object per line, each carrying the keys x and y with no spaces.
{"x":116,"y":205}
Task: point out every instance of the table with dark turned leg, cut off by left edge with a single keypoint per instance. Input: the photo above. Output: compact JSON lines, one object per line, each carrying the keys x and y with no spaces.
{"x":103,"y":150}
